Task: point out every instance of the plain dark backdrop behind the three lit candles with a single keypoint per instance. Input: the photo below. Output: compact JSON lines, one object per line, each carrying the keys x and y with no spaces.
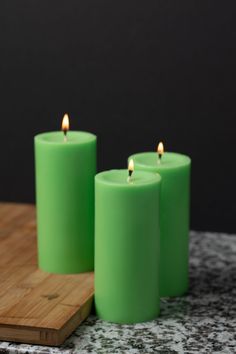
{"x":132,"y":72}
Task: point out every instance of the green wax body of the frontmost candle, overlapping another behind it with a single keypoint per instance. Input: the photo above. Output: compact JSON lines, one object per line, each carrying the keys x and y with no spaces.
{"x":127,"y":246}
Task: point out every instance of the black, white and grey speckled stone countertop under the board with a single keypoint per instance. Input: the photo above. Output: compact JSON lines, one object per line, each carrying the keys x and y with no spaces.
{"x":202,"y":322}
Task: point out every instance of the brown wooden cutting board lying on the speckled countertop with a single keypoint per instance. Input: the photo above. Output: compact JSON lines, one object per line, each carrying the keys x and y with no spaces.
{"x":35,"y":307}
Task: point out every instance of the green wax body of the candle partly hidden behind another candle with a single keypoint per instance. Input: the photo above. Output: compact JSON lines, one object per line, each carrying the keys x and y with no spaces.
{"x":174,"y":217}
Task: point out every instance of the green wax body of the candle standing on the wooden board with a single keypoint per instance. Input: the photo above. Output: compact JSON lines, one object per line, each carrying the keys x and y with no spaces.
{"x":65,"y":173}
